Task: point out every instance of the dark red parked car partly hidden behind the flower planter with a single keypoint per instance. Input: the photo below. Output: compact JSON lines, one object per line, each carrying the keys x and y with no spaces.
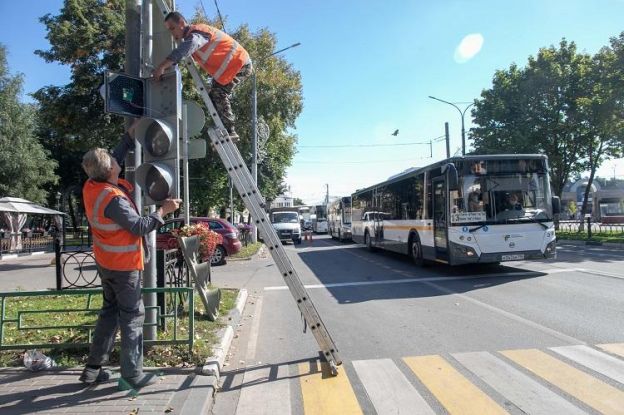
{"x":231,"y":244}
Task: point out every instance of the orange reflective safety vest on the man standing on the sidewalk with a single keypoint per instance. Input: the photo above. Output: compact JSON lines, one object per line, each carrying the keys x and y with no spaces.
{"x":114,"y":247}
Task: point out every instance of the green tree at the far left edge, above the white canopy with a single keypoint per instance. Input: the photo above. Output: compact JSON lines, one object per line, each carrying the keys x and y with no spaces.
{"x":25,"y":168}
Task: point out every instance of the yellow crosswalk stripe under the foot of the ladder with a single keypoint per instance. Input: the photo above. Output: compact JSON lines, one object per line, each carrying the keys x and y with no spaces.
{"x":324,"y":394}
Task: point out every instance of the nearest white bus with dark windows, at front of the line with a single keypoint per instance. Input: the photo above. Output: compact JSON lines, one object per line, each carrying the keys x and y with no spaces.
{"x":472,"y":209}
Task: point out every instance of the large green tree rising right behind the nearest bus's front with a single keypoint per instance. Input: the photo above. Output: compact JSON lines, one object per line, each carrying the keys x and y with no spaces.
{"x":536,"y":110}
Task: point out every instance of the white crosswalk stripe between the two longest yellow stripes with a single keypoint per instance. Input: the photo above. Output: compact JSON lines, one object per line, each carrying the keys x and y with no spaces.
{"x":524,"y":392}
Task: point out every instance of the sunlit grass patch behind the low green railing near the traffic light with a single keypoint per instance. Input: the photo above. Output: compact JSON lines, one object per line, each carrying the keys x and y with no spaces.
{"x":78,"y":310}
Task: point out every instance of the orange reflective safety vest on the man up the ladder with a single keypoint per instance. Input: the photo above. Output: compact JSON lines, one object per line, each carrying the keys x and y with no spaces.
{"x":221,"y":57}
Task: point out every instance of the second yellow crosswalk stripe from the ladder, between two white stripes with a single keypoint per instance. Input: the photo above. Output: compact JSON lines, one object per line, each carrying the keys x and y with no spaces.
{"x":450,"y":387}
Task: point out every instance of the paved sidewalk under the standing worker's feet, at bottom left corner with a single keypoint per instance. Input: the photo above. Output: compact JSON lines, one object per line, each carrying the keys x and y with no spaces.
{"x":58,"y":391}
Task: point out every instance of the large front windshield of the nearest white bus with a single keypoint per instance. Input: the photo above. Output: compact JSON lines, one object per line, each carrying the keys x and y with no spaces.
{"x":497,"y":193}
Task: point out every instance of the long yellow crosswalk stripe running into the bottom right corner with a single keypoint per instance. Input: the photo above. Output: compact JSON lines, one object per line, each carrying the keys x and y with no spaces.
{"x":594,"y":392}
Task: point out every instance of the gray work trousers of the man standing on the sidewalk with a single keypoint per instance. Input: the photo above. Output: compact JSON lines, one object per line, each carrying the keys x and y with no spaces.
{"x":122,"y":309}
